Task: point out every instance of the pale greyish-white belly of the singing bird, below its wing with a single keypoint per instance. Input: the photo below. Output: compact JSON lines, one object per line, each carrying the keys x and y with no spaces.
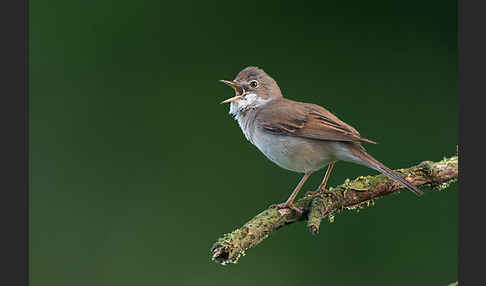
{"x":295,"y":153}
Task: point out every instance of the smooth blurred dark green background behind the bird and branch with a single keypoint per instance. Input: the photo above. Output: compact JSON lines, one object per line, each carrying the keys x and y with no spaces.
{"x":136,"y":169}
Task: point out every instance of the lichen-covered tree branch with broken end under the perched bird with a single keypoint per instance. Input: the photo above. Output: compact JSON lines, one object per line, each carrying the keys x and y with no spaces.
{"x":353,"y":194}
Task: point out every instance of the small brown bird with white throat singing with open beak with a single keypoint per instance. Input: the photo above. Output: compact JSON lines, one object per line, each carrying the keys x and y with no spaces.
{"x":297,"y":136}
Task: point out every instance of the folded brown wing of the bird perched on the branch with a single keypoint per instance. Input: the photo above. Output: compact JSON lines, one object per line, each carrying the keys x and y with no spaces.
{"x":292,"y":118}
